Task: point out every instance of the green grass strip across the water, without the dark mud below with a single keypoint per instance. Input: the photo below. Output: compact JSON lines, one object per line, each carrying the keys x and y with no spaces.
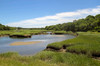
{"x":31,"y":32}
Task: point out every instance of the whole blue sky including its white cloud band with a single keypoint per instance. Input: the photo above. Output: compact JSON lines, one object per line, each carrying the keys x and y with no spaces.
{"x":41,"y":13}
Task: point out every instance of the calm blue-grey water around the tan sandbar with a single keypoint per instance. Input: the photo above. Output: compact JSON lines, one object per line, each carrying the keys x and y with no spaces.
{"x":30,"y":49}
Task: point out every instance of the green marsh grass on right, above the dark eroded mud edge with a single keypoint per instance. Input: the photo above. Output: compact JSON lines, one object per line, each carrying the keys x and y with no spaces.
{"x":86,"y":43}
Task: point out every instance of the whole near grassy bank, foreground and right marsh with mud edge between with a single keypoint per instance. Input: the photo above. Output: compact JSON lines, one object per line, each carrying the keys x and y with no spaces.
{"x":79,"y":51}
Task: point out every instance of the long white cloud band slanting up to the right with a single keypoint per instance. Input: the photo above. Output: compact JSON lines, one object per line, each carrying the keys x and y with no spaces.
{"x":56,"y":19}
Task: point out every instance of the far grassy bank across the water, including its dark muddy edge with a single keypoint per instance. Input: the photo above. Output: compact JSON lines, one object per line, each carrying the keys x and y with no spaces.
{"x":28,"y":33}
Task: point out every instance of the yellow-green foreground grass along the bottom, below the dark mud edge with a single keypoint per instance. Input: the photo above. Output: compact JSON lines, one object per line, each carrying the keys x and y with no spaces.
{"x":47,"y":58}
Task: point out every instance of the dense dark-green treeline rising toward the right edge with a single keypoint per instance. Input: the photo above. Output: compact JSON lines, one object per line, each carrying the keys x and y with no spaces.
{"x":90,"y":23}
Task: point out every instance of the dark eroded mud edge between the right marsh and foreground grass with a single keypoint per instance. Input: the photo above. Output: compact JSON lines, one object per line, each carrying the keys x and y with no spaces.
{"x":64,"y":49}
